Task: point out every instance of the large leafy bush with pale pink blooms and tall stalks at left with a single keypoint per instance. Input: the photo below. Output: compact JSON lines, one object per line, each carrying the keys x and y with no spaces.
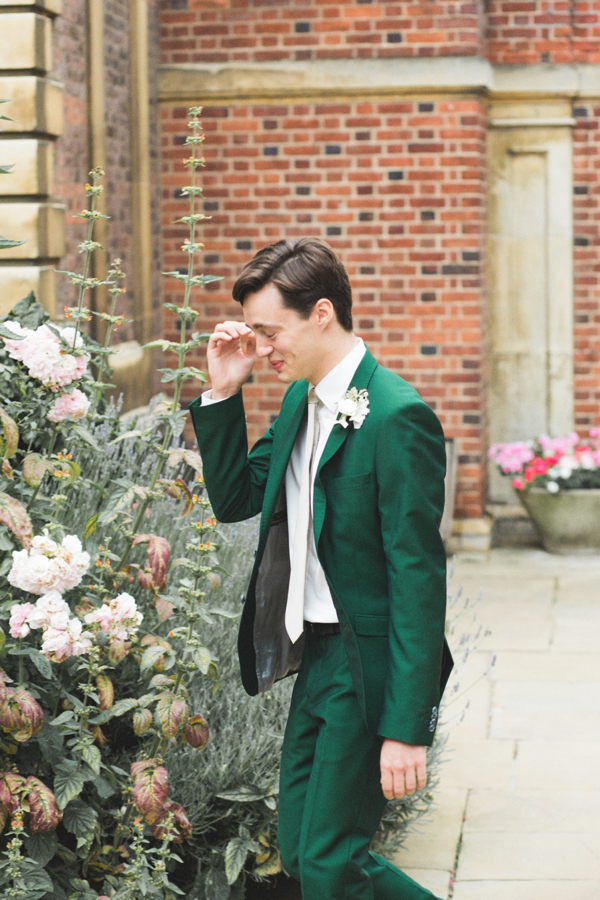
{"x":101,"y":640}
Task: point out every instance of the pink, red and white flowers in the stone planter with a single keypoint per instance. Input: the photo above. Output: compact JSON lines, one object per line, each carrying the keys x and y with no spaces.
{"x":564,"y":463}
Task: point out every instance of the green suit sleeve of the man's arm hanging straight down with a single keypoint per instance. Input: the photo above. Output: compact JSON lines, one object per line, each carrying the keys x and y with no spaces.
{"x":410,"y":465}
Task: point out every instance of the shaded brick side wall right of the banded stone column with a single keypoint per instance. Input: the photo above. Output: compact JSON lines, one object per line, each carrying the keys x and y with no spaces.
{"x":72,"y":161}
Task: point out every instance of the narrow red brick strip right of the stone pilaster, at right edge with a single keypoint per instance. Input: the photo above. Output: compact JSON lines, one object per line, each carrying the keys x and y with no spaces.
{"x":586,"y":208}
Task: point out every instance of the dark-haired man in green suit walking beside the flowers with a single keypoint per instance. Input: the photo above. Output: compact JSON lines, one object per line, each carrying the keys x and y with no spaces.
{"x":350,"y":483}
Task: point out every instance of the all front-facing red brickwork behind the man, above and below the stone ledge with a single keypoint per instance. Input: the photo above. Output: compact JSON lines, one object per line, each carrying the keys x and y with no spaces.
{"x":397,"y":187}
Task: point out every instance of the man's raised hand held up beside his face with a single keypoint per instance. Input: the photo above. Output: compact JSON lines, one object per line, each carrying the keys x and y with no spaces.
{"x":230,"y":357}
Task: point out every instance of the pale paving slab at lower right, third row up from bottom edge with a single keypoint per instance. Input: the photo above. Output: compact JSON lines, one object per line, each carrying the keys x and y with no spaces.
{"x":542,"y":812}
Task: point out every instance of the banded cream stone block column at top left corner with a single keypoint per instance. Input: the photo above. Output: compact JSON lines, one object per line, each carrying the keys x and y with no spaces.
{"x":27,"y":211}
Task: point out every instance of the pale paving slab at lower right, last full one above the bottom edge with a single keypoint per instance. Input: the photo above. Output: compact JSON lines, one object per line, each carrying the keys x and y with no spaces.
{"x":525,"y":856}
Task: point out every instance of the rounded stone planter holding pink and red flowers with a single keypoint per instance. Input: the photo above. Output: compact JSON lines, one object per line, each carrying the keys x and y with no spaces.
{"x":568,"y":522}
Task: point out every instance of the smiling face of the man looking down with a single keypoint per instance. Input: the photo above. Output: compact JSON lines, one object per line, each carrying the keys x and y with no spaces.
{"x":294,"y":346}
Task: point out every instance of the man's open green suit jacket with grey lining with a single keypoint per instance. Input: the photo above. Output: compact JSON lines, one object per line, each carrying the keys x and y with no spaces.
{"x":378,"y":502}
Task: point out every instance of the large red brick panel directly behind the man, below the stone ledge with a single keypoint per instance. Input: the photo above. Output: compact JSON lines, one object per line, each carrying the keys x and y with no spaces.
{"x":398,"y":189}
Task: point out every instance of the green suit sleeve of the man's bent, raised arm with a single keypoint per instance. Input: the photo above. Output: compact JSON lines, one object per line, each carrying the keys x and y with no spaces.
{"x":235,"y":479}
